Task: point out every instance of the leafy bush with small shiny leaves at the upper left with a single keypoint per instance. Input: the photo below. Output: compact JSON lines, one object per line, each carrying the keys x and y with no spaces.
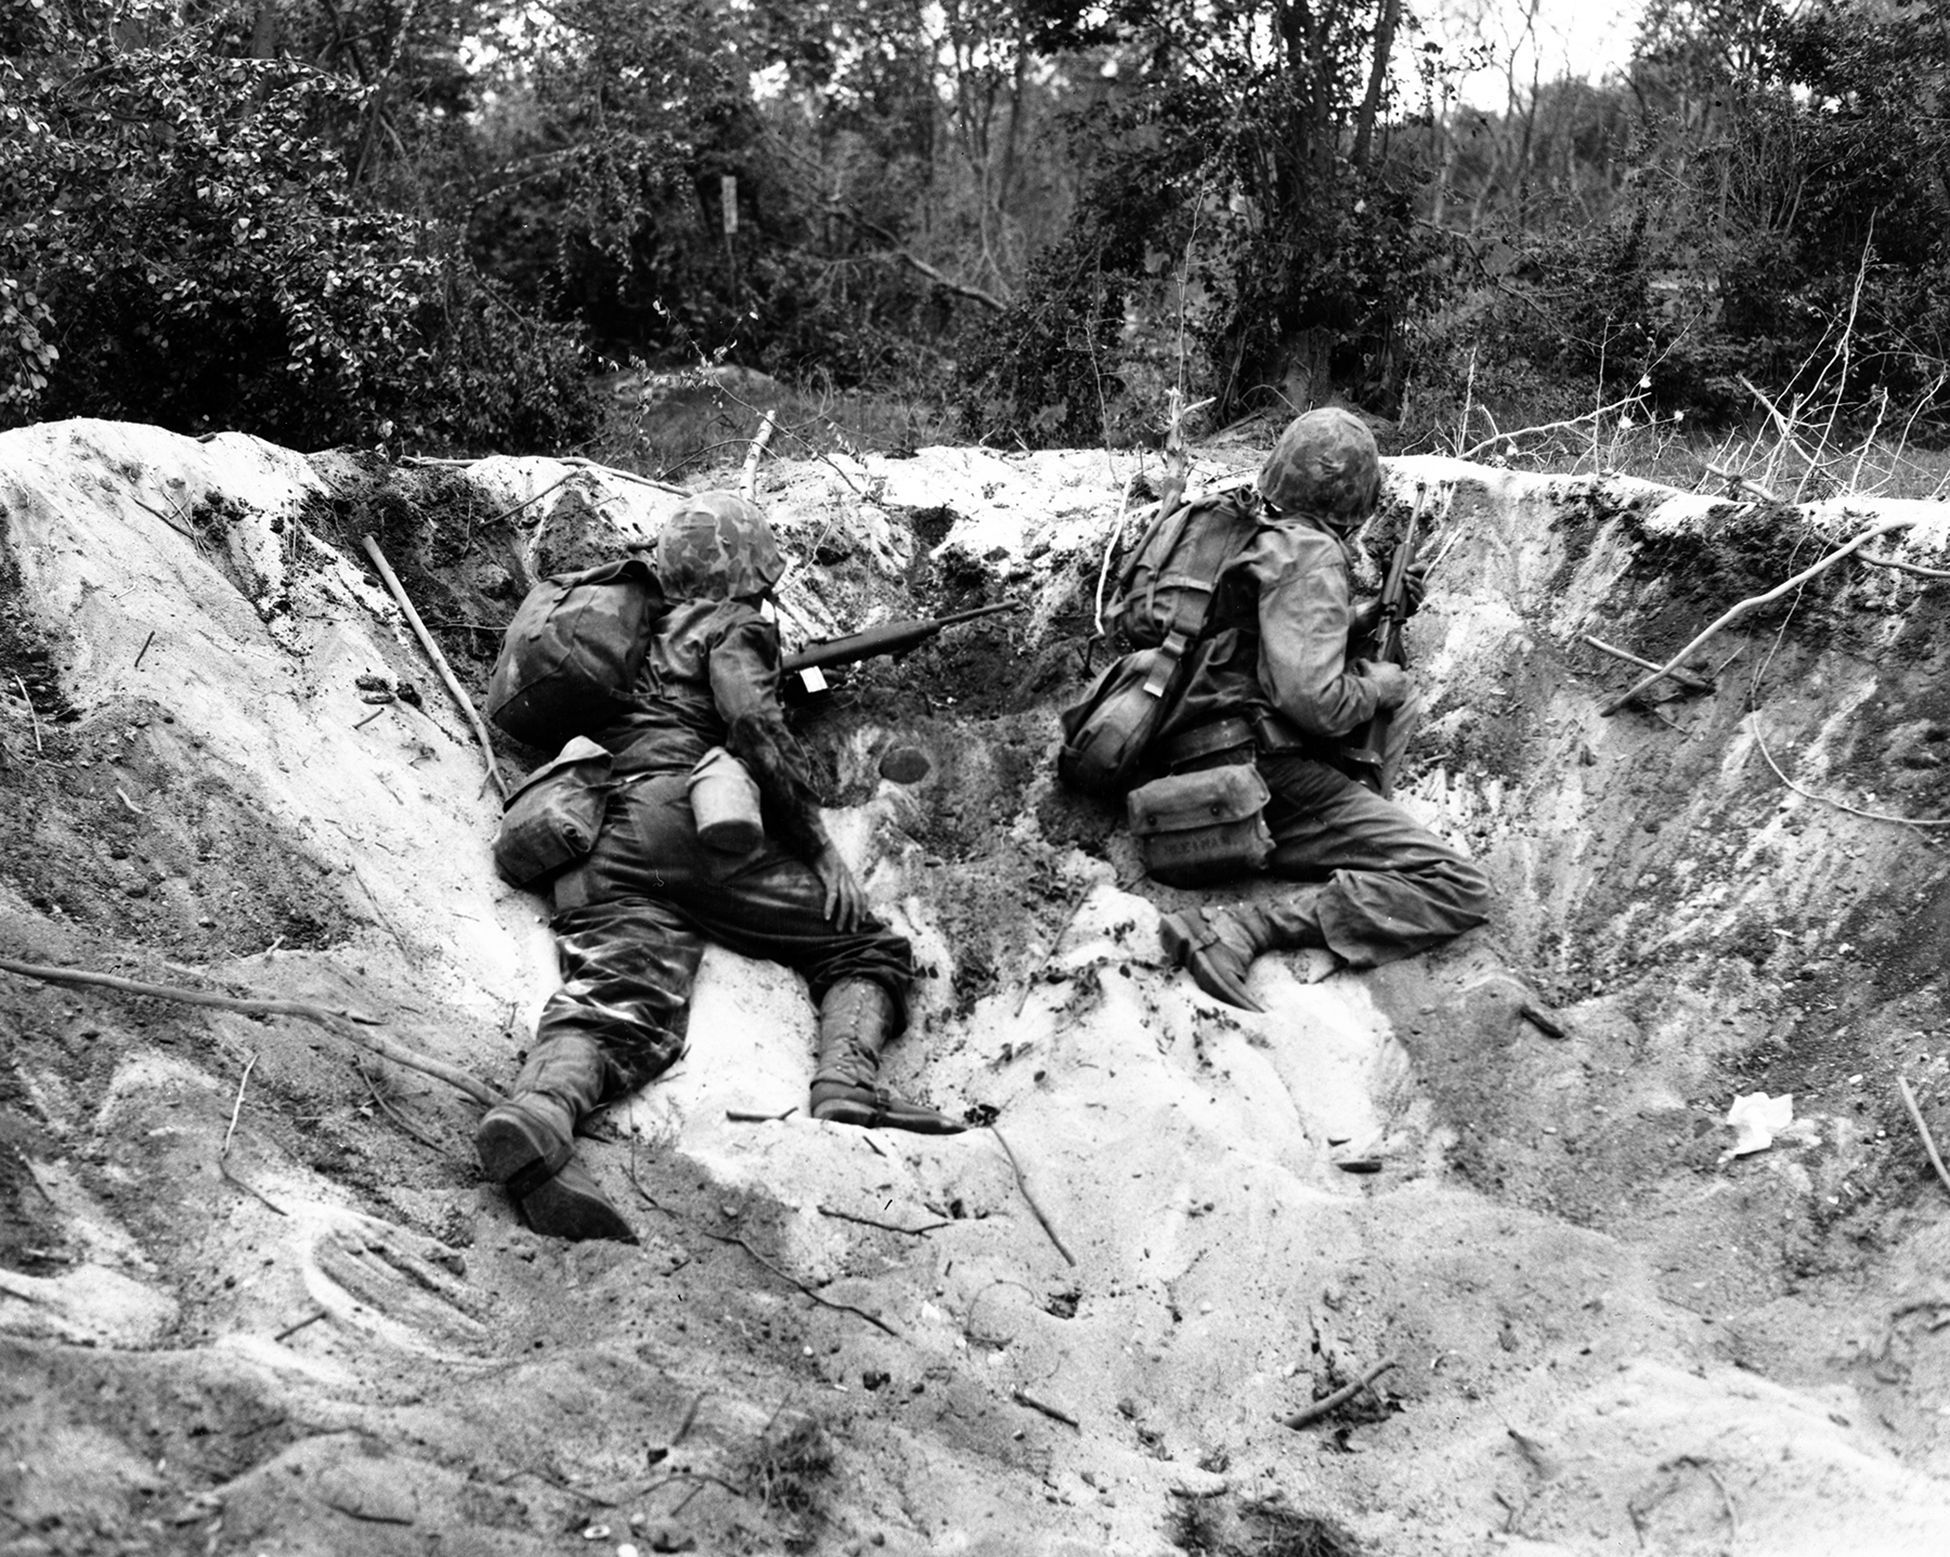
{"x":184,"y":229}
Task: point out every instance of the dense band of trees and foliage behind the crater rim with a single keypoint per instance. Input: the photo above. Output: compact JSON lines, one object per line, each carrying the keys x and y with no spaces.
{"x":432,"y":221}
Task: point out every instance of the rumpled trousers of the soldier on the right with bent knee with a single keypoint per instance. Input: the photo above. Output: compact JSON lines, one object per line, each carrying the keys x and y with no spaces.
{"x":1391,"y":887}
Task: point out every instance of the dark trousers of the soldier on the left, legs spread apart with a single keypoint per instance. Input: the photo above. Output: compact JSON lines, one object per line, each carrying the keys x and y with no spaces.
{"x":635,"y":918}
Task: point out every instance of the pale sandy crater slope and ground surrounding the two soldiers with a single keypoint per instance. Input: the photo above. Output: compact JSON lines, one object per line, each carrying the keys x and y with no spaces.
{"x":253,"y":1297}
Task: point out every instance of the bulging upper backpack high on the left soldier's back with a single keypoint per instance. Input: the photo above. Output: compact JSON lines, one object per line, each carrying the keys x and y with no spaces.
{"x":572,"y":653}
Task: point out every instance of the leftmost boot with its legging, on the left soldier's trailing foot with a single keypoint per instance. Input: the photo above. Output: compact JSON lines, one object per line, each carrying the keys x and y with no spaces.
{"x":527,"y":1144}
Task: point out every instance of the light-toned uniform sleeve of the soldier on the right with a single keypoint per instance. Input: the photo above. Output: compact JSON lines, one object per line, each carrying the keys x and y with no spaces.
{"x":1306,"y":612}
